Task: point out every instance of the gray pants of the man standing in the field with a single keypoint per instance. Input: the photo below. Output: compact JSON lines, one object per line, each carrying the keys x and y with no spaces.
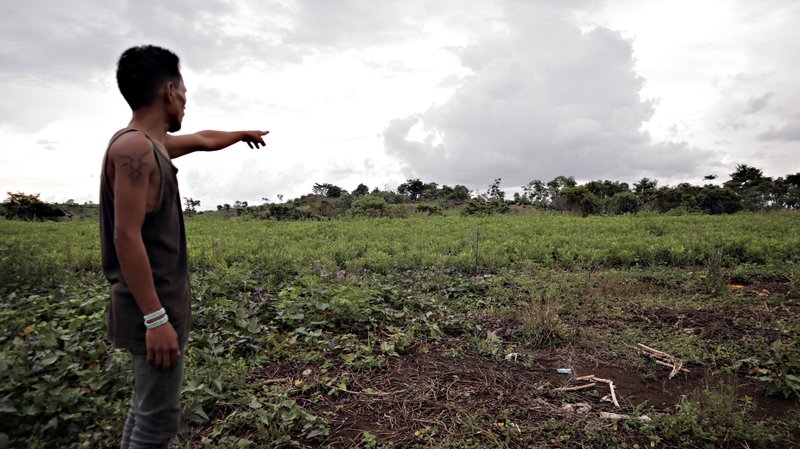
{"x":155,"y":411}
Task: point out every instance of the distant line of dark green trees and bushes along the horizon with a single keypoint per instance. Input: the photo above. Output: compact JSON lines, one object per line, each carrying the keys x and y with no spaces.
{"x":747,"y":189}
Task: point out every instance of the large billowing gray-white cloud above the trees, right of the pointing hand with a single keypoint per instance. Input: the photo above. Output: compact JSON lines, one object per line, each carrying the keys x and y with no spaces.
{"x":546,"y":100}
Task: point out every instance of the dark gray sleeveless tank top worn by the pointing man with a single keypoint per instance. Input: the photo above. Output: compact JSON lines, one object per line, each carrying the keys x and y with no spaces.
{"x":164,"y":239}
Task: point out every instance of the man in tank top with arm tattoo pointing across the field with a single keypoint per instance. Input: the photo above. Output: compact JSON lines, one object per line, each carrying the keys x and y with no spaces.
{"x":143,"y":241}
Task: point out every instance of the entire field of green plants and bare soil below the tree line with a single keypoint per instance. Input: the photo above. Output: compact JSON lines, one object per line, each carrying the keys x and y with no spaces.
{"x":426,"y":332}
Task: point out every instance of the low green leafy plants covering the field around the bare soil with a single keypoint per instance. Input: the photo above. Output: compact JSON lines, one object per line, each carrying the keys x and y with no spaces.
{"x":342,"y":297}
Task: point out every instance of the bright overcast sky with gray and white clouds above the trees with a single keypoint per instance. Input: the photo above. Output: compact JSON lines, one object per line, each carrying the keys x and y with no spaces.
{"x":451,"y":91}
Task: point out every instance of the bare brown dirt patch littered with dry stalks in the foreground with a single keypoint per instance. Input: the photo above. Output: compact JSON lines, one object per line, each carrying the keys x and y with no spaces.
{"x":454,"y":391}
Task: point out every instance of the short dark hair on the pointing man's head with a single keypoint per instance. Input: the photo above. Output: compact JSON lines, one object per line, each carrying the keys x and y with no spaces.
{"x":141,"y":71}
